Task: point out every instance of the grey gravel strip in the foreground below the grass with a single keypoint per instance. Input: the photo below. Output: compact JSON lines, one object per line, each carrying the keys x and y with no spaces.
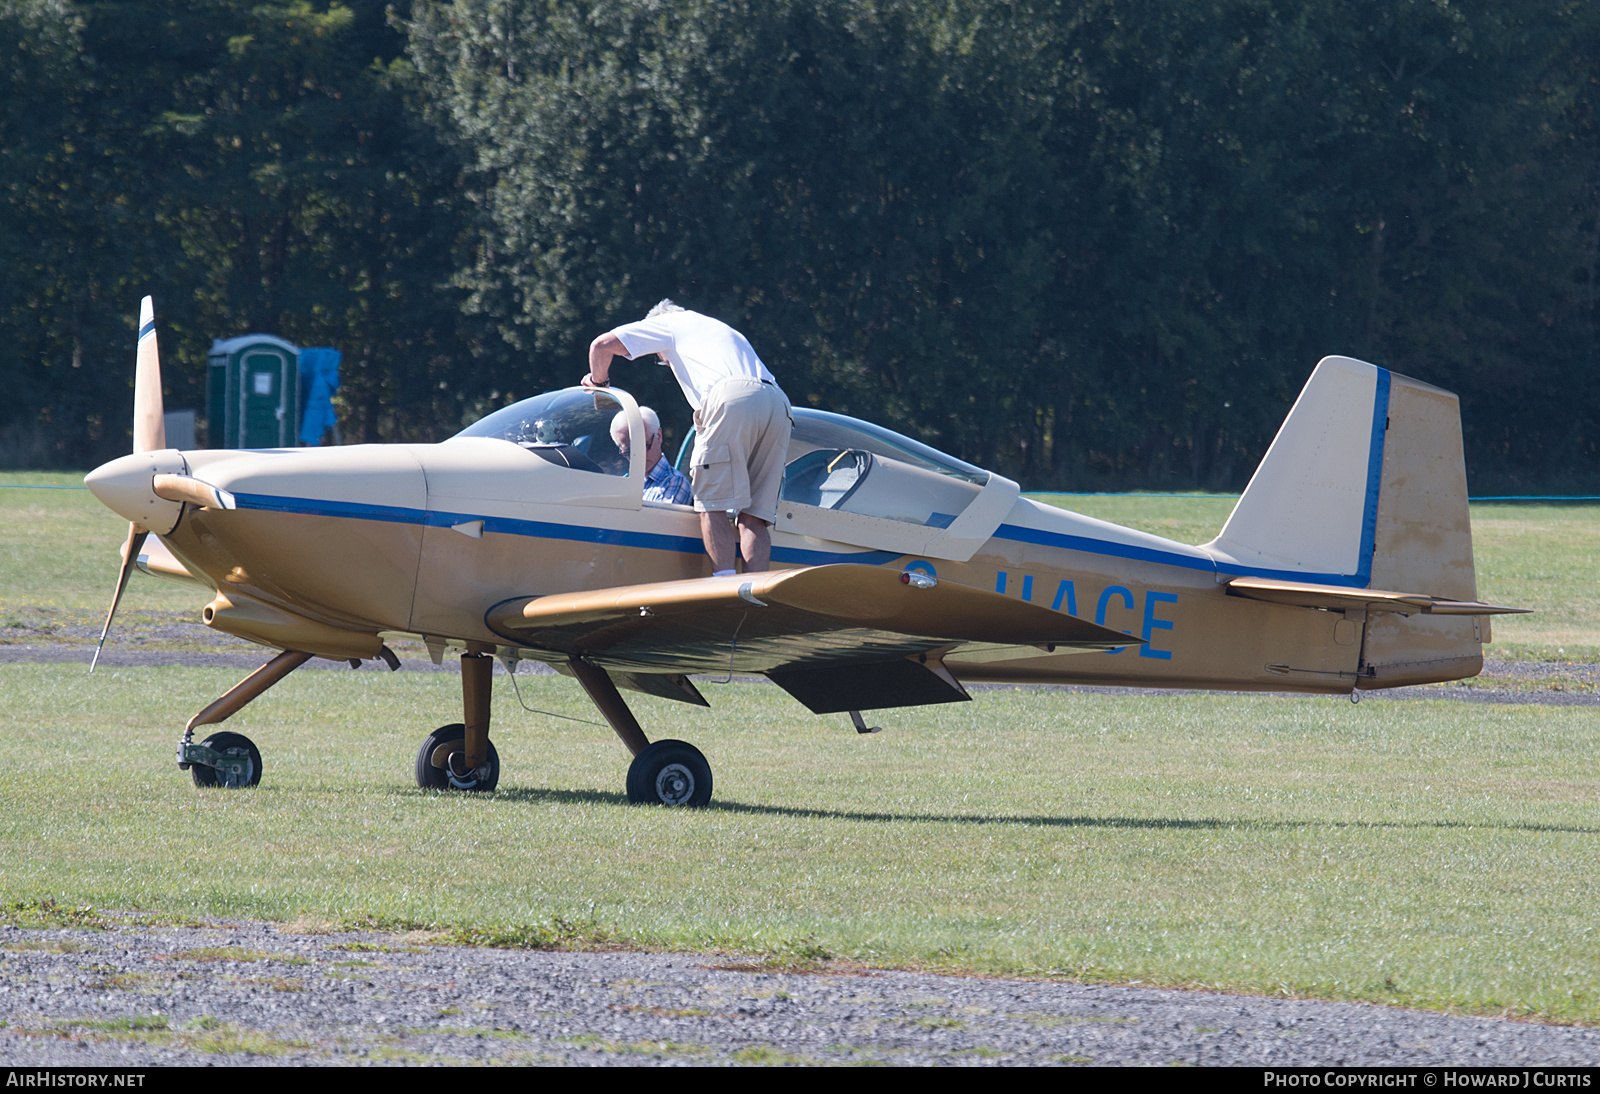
{"x":228,"y":992}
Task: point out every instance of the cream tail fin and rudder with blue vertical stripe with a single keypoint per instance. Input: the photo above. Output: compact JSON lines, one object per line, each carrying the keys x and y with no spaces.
{"x":1366,"y":487}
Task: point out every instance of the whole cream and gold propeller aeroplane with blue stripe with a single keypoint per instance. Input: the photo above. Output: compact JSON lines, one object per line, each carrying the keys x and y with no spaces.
{"x":903,"y":573}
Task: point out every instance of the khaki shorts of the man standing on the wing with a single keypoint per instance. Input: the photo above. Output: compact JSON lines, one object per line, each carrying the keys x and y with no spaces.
{"x":742,"y":444}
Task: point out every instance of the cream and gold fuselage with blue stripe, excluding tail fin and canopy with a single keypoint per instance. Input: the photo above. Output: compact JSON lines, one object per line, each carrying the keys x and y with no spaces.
{"x":423,"y":540}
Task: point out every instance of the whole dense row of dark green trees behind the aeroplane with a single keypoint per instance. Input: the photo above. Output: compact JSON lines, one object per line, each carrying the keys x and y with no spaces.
{"x":1094,"y":242}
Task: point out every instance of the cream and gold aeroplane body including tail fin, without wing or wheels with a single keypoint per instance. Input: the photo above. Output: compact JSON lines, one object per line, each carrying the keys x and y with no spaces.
{"x":327,"y":549}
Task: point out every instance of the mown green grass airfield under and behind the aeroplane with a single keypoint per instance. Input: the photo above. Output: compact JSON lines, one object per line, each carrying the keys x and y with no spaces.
{"x":1426,"y":853}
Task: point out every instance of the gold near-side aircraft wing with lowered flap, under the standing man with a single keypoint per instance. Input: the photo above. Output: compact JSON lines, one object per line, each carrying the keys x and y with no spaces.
{"x":841,"y":637}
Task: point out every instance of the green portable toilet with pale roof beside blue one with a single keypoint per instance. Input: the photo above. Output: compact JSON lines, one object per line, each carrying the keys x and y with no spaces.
{"x":252,"y":393}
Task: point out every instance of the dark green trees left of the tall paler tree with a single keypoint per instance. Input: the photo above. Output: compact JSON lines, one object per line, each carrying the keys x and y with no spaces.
{"x":254,"y":169}
